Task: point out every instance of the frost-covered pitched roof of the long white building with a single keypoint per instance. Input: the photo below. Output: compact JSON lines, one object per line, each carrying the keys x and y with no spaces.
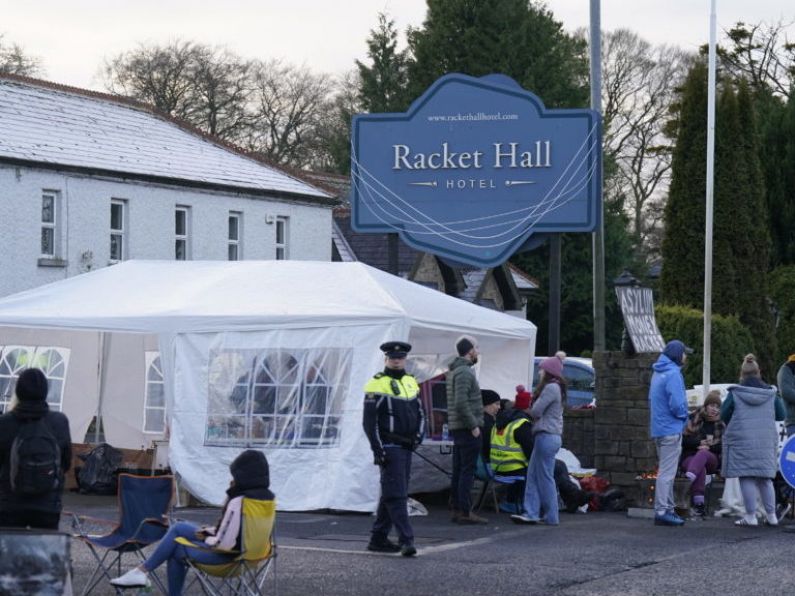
{"x":58,"y":126}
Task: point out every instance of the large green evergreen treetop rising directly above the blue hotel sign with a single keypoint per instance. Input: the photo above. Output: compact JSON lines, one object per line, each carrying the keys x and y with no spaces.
{"x":512,"y":37}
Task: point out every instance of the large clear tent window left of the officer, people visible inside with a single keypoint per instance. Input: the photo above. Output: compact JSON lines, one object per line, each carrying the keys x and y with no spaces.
{"x":277,"y":398}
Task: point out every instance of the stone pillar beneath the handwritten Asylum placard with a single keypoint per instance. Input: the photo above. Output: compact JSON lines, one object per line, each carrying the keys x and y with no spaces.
{"x":622,"y":446}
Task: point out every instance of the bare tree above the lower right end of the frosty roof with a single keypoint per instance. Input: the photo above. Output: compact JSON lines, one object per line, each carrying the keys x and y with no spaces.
{"x":288,"y":106}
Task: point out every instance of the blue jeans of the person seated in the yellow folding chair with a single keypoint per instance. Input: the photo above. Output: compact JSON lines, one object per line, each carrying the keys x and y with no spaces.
{"x":175,"y":554}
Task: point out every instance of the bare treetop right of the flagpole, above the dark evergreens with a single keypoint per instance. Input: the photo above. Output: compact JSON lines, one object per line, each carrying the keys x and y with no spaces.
{"x":762,"y":54}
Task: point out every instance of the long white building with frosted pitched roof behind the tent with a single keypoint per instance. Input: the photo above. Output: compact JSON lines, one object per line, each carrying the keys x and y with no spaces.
{"x":88,"y":179}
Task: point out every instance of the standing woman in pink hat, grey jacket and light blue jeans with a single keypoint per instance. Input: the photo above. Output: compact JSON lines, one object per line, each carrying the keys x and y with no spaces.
{"x":541,"y":495}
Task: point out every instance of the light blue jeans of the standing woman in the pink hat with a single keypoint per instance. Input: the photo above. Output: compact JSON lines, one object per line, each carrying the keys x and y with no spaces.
{"x":540,"y":493}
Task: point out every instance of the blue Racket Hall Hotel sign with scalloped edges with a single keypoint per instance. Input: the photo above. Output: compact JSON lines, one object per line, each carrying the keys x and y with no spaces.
{"x":474,"y":168}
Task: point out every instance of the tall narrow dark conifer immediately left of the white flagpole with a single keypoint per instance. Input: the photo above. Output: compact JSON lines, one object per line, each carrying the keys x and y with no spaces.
{"x":683,"y":241}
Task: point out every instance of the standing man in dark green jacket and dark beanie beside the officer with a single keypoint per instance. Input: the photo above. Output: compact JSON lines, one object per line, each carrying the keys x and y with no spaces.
{"x":464,"y":419}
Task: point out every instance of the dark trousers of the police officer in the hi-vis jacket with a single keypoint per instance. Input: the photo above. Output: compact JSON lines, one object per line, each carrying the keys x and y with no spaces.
{"x":393,"y":504}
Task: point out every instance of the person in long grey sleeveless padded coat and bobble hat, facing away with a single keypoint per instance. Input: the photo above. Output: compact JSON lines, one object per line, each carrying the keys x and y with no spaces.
{"x":751,"y":440}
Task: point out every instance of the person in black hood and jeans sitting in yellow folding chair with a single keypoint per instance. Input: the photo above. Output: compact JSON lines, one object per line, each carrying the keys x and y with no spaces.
{"x":250,"y":479}
